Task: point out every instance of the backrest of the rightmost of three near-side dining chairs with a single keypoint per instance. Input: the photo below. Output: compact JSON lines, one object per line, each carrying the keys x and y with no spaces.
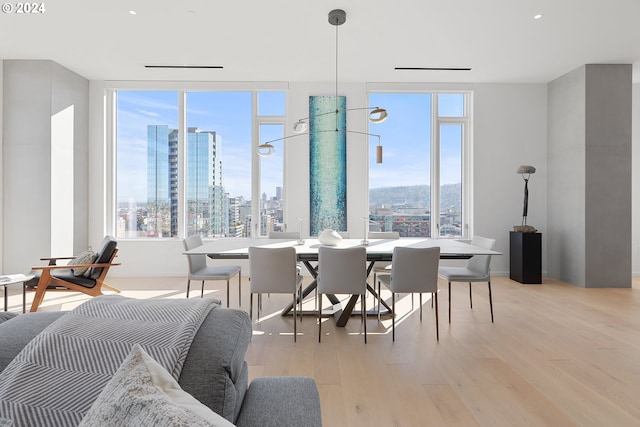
{"x":415,"y":269}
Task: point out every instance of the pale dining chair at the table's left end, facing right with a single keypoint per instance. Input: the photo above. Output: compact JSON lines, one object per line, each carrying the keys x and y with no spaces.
{"x":199,"y":270}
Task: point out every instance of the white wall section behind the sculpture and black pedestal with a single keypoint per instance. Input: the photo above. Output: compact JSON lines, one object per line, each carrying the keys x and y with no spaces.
{"x":510,"y":129}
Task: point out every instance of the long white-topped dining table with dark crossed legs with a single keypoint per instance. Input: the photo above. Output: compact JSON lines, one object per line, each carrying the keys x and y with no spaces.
{"x":378,"y":250}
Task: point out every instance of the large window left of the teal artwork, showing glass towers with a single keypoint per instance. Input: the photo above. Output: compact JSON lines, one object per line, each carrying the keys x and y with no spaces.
{"x":193,"y":176}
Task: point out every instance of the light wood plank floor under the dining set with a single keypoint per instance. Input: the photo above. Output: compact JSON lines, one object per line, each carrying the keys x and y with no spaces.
{"x":557,"y":355}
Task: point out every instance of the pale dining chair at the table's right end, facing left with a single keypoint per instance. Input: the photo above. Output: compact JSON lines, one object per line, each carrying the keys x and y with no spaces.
{"x":477,"y":269}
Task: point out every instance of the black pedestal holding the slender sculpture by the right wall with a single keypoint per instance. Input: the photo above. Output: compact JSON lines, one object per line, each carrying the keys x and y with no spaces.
{"x":525,"y":260}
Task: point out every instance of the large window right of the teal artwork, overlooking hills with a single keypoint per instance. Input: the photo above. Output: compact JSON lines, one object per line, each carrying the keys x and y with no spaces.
{"x":419,"y":190}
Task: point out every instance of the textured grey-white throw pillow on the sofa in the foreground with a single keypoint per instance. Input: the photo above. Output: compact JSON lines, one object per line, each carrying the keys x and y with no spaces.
{"x":143,"y":393}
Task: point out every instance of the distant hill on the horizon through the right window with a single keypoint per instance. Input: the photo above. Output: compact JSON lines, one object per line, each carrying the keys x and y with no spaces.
{"x":416,"y":195}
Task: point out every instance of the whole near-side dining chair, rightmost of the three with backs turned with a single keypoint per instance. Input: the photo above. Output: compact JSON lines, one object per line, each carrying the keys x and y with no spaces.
{"x":413,"y":270}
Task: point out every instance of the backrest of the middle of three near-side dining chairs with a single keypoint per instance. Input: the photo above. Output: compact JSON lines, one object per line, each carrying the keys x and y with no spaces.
{"x":342,"y":270}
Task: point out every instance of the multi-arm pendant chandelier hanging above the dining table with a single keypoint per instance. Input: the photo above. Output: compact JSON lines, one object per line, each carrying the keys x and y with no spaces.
{"x":337,"y":17}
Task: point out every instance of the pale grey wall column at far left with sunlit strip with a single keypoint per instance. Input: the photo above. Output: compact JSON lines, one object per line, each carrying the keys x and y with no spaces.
{"x":33,"y":92}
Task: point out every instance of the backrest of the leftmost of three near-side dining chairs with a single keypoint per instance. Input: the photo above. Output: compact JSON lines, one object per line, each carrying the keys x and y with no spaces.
{"x":272,"y":270}
